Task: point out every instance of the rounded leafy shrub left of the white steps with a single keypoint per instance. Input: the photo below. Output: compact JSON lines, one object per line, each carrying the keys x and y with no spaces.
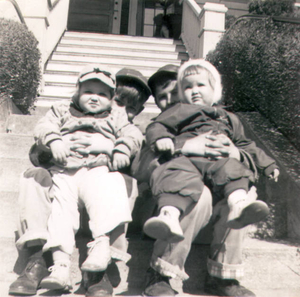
{"x":19,"y":64}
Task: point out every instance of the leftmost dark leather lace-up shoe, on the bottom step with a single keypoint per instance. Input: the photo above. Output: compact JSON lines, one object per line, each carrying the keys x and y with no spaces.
{"x":28,"y":282}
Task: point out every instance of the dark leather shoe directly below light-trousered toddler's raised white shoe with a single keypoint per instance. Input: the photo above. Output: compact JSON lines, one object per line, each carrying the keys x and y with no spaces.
{"x":98,"y":284}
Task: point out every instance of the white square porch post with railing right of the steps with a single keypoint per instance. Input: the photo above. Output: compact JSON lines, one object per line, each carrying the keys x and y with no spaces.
{"x":202,"y":28}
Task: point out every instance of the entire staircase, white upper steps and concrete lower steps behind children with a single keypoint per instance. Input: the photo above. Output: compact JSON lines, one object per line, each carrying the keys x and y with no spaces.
{"x":271,"y":268}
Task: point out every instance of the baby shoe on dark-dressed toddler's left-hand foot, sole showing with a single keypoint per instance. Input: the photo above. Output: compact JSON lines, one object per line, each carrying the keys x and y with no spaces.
{"x":165,"y":227}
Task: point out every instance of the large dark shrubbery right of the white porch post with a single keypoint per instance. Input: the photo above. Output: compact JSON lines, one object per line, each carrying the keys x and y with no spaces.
{"x":259,"y":60}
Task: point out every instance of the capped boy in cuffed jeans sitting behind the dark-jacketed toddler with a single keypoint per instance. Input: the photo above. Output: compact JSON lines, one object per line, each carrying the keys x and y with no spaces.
{"x":225,"y":262}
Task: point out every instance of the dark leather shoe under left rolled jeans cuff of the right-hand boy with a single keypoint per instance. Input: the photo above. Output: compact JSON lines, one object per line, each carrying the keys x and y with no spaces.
{"x":157,"y":285}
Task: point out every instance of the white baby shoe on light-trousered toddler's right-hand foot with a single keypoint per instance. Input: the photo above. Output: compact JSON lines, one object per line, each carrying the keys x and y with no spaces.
{"x":98,"y":255}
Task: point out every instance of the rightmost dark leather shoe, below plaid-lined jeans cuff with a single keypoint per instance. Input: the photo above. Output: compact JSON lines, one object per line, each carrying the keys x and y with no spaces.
{"x":225,"y":287}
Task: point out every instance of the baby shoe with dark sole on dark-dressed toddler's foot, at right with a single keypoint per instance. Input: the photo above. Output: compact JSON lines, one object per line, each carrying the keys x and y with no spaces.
{"x":244,"y":212}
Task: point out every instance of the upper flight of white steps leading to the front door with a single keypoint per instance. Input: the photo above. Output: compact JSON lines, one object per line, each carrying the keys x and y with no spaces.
{"x":78,"y":49}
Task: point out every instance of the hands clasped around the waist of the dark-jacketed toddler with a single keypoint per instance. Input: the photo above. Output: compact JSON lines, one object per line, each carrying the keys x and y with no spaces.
{"x":211,"y":146}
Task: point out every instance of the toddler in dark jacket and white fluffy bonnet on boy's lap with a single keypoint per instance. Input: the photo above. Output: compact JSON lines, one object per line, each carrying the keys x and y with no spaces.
{"x":199,"y":87}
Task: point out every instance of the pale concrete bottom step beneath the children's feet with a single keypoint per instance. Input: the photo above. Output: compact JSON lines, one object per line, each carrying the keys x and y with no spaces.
{"x":272,"y":269}
